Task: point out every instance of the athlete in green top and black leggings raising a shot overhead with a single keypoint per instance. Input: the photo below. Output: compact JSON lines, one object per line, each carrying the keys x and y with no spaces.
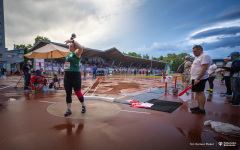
{"x":72,"y":76}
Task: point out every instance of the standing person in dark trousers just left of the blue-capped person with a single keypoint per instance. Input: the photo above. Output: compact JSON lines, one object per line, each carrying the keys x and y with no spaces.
{"x":227,"y":77}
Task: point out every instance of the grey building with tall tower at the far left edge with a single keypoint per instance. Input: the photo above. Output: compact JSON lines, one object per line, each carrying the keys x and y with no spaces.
{"x":9,"y":59}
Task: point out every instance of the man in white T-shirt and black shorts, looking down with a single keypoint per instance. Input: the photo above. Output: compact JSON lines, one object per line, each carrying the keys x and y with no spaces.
{"x":199,"y":76}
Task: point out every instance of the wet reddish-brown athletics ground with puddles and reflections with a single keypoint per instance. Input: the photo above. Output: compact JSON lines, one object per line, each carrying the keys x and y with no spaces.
{"x":30,"y":121}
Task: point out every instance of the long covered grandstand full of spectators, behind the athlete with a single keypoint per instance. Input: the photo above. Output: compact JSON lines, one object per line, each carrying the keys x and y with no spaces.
{"x":111,"y":57}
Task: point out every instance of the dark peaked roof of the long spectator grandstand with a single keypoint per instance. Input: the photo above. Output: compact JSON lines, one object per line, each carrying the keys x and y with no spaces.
{"x":112,"y":54}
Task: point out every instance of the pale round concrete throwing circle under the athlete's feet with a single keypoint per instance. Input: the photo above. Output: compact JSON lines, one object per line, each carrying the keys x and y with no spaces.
{"x":95,"y":109}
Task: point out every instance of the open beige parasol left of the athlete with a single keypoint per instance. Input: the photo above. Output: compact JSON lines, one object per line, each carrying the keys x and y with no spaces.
{"x":48,"y":51}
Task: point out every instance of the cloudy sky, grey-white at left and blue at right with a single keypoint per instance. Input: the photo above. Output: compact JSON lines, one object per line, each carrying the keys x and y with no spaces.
{"x":153,"y":27}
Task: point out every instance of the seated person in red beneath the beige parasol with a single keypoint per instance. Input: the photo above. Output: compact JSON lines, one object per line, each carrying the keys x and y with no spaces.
{"x":37,"y":83}
